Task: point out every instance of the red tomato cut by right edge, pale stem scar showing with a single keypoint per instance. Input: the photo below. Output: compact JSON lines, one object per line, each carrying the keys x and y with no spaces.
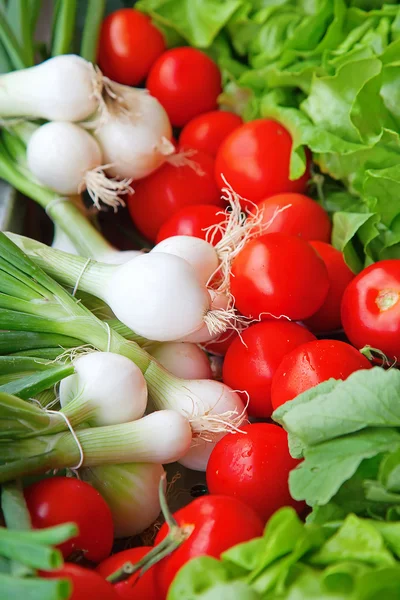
{"x":365,"y":319}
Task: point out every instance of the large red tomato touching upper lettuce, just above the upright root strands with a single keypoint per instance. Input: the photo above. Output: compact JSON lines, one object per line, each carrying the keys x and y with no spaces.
{"x":255,"y":161}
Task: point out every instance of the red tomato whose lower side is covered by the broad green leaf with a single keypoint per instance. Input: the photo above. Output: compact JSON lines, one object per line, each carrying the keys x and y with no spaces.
{"x":311,"y":364}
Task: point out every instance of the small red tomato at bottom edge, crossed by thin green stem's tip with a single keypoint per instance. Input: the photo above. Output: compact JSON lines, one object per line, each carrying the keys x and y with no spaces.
{"x":134,"y":588}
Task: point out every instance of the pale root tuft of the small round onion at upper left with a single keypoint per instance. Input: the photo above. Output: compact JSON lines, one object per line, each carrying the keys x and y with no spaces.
{"x":105,"y":189}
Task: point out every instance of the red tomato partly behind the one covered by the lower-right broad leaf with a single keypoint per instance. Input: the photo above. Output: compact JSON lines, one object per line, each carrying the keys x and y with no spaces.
{"x":250,"y":364}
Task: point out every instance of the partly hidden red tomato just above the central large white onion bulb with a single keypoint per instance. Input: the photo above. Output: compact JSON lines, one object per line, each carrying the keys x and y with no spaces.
{"x":193,"y":220}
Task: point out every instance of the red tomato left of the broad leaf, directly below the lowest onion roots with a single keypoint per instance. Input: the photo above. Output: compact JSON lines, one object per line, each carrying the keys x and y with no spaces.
{"x":254,"y":467}
